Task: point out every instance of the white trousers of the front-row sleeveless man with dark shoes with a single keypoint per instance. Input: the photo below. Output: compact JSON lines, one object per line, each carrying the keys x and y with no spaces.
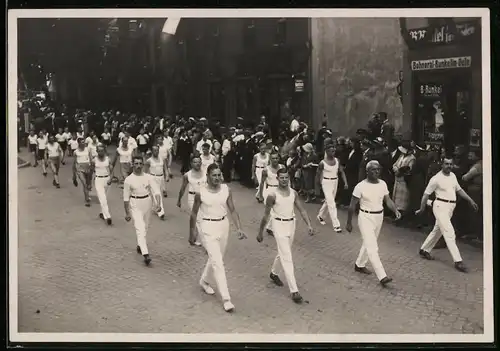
{"x":284,"y":233}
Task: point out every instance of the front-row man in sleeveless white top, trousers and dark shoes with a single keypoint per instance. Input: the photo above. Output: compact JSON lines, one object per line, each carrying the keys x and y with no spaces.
{"x":280,"y":206}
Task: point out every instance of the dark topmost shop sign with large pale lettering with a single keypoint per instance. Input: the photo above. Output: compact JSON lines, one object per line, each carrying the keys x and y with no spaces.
{"x":443,"y":34}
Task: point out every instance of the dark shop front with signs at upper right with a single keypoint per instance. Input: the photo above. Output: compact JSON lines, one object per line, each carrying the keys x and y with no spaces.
{"x":444,"y":72}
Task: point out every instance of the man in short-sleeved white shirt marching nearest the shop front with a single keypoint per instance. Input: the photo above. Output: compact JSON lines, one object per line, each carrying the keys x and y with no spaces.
{"x":445,"y":186}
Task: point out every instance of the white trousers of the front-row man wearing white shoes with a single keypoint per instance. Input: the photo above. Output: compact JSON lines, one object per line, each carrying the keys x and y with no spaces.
{"x":214,"y":236}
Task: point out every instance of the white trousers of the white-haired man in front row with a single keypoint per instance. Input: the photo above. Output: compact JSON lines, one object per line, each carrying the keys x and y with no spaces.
{"x":370,"y":225}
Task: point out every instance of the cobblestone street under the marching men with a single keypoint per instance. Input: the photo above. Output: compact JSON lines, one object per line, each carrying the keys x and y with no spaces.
{"x":83,"y":276}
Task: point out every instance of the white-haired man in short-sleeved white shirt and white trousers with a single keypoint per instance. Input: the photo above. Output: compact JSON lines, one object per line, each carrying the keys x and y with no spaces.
{"x":370,"y":194}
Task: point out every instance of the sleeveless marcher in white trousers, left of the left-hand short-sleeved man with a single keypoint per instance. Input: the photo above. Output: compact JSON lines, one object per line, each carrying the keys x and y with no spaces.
{"x":101,"y":165}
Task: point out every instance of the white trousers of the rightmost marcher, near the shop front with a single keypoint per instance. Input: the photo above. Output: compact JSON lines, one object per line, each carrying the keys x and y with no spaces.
{"x":443,"y":212}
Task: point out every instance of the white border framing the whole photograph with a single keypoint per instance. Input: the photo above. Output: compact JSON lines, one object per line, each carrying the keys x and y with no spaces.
{"x":16,"y":337}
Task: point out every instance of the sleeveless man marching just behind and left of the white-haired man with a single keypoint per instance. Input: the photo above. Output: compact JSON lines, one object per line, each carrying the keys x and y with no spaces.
{"x":327,"y":175}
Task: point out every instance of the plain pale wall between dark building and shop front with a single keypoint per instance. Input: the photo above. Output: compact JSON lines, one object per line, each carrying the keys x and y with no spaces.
{"x":355,"y":66}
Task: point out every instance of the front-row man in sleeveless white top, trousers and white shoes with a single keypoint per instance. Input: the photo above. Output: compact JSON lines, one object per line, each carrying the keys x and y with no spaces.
{"x":213,"y":202}
